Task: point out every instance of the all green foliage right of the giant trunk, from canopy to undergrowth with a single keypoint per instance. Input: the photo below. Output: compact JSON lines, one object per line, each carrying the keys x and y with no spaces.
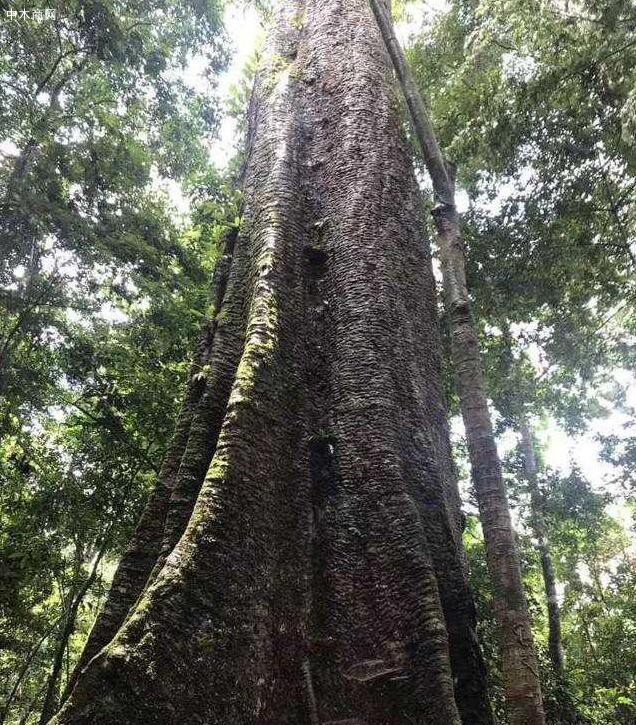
{"x":535,"y":103}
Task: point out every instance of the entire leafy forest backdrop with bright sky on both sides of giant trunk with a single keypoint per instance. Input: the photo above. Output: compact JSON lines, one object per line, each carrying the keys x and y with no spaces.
{"x":111,"y":209}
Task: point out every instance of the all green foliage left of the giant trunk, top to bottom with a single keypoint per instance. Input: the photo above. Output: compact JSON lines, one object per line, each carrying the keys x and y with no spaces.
{"x":102,"y":295}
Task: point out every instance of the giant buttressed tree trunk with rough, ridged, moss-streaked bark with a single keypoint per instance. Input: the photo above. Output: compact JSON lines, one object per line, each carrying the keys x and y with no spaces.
{"x":319,"y":577}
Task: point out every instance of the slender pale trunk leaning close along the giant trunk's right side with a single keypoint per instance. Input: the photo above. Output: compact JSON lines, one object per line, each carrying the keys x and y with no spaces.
{"x":520,"y":666}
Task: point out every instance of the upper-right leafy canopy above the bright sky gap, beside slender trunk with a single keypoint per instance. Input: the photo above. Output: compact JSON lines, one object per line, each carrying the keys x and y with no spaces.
{"x":530,"y":102}
